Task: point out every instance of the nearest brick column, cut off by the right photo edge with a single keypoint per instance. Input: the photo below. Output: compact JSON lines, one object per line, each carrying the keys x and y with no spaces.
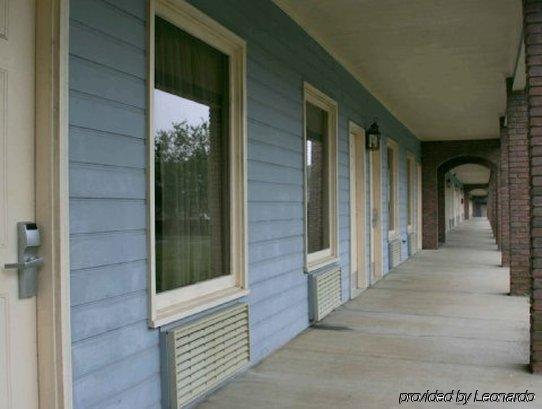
{"x":532,"y":13}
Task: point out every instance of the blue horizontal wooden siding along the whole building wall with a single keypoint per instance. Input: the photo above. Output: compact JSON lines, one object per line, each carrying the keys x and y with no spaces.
{"x":115,"y":355}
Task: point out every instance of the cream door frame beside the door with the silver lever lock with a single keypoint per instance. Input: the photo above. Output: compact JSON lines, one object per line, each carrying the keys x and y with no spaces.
{"x":52,"y":204}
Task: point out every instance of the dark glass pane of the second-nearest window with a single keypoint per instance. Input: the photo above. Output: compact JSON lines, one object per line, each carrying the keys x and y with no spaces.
{"x":317,"y":170}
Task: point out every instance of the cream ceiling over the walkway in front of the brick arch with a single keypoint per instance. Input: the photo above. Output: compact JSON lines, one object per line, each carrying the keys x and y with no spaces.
{"x":438,"y":65}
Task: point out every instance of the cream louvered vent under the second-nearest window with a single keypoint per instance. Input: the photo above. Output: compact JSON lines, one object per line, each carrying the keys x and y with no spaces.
{"x":324,"y":293}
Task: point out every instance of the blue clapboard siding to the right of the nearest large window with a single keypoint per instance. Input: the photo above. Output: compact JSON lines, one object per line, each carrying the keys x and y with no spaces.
{"x":277,"y":65}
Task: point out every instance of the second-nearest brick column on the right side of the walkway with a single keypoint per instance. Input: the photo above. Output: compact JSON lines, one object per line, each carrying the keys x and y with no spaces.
{"x":518,"y":185}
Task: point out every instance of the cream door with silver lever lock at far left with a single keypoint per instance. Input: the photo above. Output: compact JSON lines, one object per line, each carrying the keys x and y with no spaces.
{"x":18,"y":356}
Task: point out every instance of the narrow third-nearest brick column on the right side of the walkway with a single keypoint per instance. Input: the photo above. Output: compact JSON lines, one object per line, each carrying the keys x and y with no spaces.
{"x":504,"y":202}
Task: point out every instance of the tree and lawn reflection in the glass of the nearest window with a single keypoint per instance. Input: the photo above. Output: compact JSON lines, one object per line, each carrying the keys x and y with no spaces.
{"x":182,"y":203}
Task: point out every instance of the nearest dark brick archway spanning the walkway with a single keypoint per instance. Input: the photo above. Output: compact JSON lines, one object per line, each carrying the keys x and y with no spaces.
{"x":437,"y":159}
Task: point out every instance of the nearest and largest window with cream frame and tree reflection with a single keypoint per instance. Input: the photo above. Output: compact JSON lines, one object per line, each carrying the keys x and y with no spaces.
{"x":197,"y":168}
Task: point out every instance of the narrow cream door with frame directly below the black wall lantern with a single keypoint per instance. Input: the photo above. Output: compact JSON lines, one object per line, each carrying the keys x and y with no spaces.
{"x":375,"y":178}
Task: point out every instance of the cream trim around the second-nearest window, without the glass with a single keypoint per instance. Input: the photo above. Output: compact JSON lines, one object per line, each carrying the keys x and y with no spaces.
{"x":316,"y":260}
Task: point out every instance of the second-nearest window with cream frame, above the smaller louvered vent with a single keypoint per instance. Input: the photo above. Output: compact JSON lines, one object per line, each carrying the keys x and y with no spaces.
{"x":320,"y":178}
